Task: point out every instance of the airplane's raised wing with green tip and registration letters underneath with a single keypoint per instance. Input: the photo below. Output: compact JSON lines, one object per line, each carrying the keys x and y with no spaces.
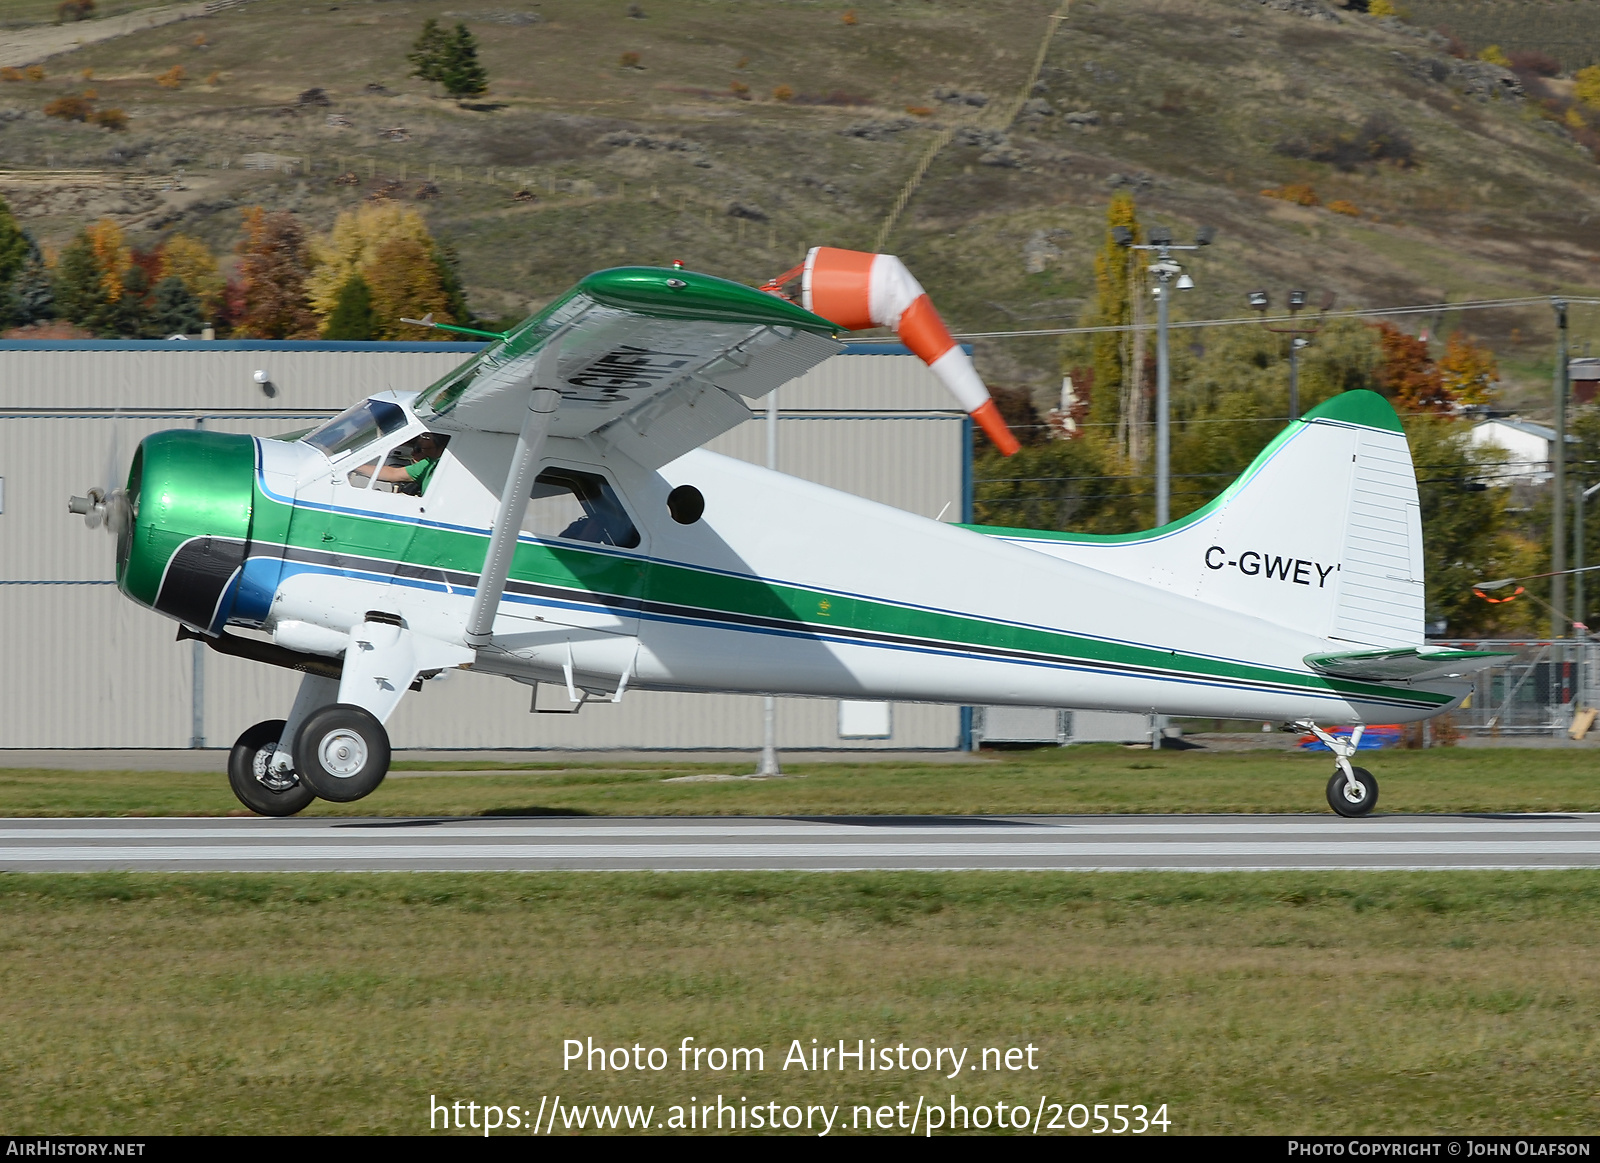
{"x":647,"y":361}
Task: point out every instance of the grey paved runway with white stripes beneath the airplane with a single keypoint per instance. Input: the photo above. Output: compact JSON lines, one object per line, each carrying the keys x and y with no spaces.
{"x":1209,"y":844}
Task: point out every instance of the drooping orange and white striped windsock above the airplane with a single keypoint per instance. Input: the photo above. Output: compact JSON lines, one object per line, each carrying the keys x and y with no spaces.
{"x":858,"y":290}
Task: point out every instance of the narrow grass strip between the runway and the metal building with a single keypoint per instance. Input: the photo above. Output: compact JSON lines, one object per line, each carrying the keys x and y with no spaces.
{"x":1079,"y":780}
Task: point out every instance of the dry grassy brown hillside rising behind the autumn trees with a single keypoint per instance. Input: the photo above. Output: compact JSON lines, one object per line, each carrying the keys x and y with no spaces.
{"x":582,"y":158}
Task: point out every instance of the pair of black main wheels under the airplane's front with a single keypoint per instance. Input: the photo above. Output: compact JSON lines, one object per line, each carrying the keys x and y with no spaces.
{"x":342,"y":754}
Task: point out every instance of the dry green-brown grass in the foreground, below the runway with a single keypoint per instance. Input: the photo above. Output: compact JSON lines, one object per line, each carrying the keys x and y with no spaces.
{"x":1249,"y":1004}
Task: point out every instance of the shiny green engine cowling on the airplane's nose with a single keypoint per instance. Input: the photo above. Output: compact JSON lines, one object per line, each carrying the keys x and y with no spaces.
{"x":191,"y":495}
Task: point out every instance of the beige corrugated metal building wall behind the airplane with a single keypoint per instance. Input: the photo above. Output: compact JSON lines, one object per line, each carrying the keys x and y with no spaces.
{"x":81,"y":666}
